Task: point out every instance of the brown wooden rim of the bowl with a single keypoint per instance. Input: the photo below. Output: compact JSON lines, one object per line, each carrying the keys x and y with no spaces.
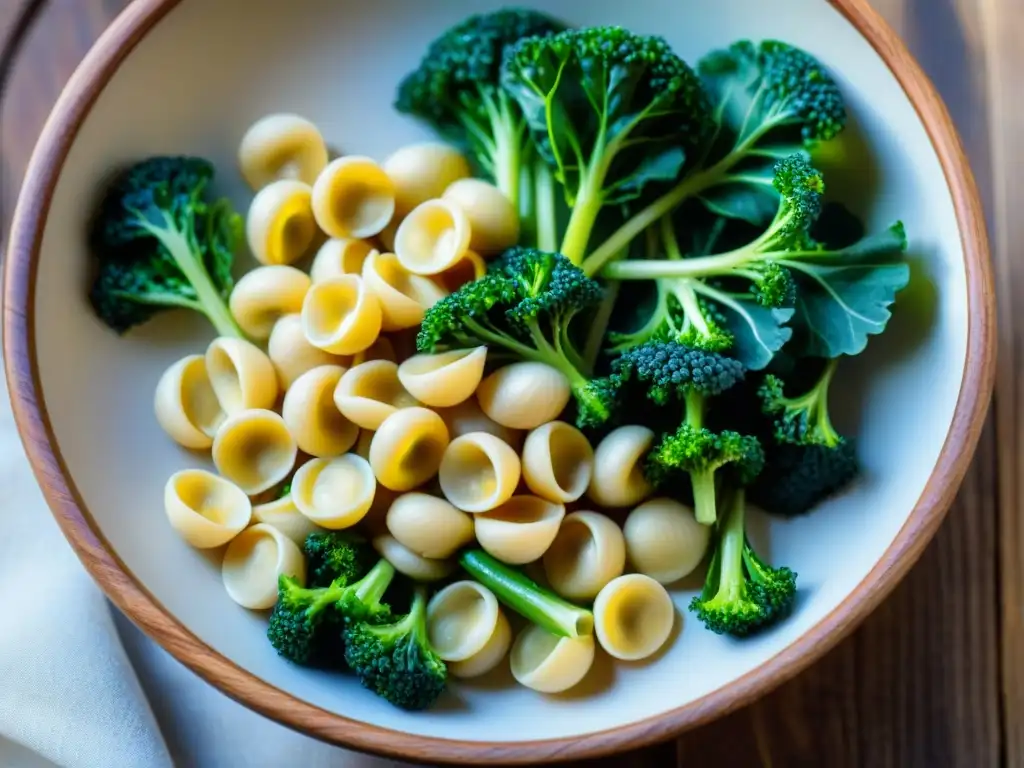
{"x":145,"y":611}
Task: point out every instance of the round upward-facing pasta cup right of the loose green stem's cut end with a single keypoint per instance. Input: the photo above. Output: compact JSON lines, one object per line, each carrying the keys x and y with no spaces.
{"x":633,"y":617}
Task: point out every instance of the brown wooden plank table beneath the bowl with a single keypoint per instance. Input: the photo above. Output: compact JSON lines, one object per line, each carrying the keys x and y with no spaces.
{"x":935,"y":677}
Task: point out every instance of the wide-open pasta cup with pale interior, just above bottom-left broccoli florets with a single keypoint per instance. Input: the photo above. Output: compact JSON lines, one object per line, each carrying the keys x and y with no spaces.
{"x":335,"y":493}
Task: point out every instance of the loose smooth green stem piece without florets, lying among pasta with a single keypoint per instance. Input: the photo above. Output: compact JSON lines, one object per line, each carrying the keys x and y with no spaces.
{"x":528,"y":599}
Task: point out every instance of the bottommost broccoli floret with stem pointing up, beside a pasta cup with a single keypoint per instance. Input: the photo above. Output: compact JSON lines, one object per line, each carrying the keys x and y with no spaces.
{"x":396,"y":660}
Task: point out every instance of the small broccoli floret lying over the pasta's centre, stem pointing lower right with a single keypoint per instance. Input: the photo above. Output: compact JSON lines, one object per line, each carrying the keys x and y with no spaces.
{"x":525,"y":307}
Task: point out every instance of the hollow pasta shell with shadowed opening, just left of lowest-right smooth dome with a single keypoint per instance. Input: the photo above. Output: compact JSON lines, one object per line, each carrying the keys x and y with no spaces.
{"x":588,"y":552}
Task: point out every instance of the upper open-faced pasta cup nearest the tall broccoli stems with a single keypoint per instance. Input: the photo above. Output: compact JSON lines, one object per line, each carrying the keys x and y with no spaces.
{"x":435,"y":237}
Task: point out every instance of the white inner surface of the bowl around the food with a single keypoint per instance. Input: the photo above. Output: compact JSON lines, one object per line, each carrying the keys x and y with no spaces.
{"x":209,"y":70}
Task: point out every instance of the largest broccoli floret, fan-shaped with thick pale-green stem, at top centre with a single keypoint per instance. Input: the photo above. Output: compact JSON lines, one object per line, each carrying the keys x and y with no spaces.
{"x":612,"y":112}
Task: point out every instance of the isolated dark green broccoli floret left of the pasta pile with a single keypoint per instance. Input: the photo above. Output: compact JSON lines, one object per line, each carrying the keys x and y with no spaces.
{"x":161,"y":244}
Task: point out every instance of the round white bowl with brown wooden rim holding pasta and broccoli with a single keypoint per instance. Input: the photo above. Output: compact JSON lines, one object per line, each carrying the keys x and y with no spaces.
{"x":174,"y":76}
